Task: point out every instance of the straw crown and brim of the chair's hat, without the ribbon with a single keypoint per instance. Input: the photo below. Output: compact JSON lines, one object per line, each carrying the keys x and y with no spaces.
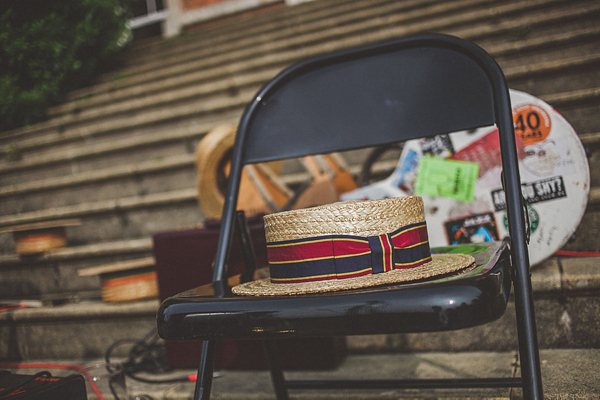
{"x":359,"y":218}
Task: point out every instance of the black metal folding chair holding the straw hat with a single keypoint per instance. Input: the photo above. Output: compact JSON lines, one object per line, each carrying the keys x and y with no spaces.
{"x":377,"y":94}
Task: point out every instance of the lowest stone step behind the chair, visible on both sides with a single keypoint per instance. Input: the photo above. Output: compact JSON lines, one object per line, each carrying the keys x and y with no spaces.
{"x":566,"y":295}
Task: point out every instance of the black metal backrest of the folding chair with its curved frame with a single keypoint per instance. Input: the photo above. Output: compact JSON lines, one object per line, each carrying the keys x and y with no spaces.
{"x":381,"y":93}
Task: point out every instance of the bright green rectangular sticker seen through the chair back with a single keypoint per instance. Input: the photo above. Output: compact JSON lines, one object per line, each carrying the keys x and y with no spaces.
{"x":438,"y":177}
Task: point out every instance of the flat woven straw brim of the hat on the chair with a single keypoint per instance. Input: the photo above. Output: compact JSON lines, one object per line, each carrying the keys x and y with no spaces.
{"x":440,"y":264}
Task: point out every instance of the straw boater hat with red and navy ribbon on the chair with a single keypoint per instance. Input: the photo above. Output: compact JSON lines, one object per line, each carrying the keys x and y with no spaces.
{"x":349,"y":245}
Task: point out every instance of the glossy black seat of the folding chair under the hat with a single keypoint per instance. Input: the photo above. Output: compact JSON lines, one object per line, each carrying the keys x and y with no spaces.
{"x":452,"y":302}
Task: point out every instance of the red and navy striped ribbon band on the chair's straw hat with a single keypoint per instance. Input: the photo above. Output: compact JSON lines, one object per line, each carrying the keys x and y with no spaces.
{"x":341,"y":257}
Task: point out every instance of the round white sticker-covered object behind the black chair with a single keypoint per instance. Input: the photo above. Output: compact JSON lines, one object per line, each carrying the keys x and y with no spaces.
{"x":462,"y":190}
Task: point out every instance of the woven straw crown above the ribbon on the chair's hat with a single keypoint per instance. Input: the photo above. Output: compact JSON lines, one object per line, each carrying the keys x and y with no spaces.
{"x":355,"y":217}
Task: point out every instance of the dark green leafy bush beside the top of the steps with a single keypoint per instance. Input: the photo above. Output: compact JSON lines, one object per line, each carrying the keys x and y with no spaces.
{"x":50,"y":47}
